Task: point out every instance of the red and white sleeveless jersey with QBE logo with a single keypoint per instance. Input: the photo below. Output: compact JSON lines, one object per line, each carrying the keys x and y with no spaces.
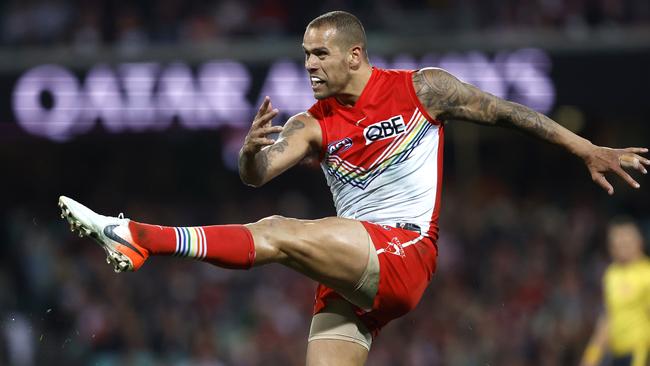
{"x":382,"y":157}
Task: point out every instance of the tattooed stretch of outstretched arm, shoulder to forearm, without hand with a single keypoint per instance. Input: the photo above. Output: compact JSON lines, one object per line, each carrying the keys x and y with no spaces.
{"x":446,"y":97}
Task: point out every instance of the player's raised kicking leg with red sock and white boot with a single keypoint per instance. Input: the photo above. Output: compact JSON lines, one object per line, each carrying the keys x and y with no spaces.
{"x":332,"y":251}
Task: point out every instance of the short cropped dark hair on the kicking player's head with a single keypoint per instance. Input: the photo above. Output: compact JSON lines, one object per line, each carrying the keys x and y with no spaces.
{"x":349,"y":28}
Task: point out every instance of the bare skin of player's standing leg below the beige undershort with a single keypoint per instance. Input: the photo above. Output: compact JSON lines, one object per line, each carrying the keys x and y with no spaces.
{"x":334,"y":352}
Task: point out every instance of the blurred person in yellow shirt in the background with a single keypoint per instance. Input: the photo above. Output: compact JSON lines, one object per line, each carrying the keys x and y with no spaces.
{"x":624,"y":330}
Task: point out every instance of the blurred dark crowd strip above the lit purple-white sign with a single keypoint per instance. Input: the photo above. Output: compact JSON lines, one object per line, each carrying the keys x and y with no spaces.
{"x":90,"y":24}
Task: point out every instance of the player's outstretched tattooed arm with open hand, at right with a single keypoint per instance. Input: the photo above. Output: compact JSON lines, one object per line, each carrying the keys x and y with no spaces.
{"x":446,"y":97}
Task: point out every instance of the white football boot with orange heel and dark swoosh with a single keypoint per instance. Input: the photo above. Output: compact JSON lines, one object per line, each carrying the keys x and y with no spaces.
{"x":112,"y":233}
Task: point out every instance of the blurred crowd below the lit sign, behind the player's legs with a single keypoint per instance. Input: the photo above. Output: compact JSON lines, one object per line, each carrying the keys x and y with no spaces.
{"x":517,"y":280}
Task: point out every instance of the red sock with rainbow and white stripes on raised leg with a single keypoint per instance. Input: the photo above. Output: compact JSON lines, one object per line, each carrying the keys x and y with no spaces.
{"x":228,"y":246}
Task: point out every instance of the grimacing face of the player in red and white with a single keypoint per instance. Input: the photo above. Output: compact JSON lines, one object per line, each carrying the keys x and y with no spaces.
{"x":327,"y":64}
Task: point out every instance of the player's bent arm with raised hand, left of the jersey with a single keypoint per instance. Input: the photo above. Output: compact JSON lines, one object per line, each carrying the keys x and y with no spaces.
{"x":262,"y":158}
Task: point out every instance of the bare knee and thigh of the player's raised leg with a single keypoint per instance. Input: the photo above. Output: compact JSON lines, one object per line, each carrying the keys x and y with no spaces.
{"x":332,"y":250}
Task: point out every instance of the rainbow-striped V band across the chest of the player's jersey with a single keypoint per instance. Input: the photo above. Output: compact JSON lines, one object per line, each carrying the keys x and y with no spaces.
{"x":399,"y":150}
